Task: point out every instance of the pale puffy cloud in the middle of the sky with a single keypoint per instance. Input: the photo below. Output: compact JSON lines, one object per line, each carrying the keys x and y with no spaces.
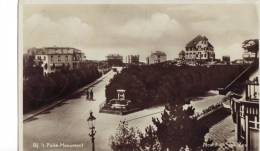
{"x":153,"y":28}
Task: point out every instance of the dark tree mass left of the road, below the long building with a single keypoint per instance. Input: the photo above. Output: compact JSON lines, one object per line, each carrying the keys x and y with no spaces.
{"x":39,"y":90}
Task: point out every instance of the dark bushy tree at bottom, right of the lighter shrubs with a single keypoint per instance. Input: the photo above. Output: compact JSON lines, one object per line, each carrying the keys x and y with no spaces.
{"x":178,"y":127}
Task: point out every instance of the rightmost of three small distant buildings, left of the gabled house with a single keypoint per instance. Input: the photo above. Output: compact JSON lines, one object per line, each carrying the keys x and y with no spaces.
{"x":156,"y":57}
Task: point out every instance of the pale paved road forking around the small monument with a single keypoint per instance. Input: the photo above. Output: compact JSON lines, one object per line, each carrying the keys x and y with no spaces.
{"x":67,"y":124}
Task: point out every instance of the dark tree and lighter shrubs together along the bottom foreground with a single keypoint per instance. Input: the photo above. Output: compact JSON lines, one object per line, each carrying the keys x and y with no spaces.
{"x":177,"y":130}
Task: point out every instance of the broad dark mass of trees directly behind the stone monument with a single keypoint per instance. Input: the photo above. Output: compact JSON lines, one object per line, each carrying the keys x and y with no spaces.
{"x":159,"y":83}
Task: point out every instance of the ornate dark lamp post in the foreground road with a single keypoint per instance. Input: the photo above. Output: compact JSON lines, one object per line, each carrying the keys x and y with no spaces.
{"x":91,"y":122}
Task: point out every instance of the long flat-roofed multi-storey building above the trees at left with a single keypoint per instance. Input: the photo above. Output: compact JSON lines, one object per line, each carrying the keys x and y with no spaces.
{"x":53,"y":59}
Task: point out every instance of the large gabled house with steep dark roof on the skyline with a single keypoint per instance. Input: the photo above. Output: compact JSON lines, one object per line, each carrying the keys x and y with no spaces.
{"x":199,"y":48}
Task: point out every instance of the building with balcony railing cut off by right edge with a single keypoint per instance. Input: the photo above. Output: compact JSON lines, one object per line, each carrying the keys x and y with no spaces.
{"x":245,"y":114}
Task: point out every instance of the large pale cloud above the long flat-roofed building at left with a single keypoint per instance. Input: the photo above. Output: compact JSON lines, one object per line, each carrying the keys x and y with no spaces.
{"x":41,"y":31}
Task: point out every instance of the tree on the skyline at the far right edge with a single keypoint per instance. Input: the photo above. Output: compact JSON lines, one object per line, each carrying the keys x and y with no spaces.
{"x":252,"y":45}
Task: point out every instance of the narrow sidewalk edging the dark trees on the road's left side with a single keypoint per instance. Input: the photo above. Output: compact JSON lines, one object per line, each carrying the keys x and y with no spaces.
{"x":47,"y":107}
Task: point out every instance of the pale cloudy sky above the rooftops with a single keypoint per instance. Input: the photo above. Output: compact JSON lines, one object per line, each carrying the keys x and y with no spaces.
{"x":101,"y":29}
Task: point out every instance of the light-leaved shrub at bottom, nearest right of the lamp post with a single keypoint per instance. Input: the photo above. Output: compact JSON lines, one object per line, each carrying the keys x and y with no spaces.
{"x":125,"y":139}
